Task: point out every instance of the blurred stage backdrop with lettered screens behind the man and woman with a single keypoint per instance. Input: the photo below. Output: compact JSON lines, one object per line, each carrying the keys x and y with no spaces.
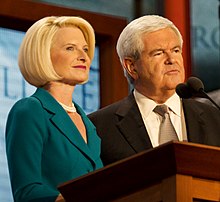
{"x":198,"y":21}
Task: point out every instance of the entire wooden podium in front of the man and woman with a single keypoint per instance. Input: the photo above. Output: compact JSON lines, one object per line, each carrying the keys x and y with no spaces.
{"x":173,"y":172}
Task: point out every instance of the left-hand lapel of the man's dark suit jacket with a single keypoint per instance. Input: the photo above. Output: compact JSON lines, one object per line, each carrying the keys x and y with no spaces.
{"x":131,"y":125}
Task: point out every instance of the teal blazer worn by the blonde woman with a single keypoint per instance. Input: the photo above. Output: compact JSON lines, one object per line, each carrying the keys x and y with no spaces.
{"x":44,"y":148}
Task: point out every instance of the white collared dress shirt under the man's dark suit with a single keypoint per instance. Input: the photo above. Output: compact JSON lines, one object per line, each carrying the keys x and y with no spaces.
{"x":152,"y":120}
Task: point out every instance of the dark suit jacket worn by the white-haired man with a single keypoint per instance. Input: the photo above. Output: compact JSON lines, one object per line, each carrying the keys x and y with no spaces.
{"x":123,"y":133}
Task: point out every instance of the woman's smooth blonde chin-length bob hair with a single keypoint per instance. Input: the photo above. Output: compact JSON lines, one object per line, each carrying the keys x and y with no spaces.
{"x":34,"y":57}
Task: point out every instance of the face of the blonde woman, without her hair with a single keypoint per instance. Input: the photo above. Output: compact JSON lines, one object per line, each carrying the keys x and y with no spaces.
{"x":69,"y":55}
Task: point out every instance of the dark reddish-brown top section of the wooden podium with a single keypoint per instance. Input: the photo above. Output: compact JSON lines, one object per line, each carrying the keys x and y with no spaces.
{"x":144,"y":169}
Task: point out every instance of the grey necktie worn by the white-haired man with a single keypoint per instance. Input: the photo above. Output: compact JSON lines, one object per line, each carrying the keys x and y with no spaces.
{"x":167,"y":131}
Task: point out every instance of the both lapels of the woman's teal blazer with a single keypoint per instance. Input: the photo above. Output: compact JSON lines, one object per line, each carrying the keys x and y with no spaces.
{"x":62,"y":121}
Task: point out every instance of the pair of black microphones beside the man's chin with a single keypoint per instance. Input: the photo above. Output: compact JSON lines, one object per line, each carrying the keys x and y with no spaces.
{"x":193,"y":88}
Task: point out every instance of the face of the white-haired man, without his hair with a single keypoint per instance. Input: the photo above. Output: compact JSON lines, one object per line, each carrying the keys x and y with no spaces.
{"x":160,"y":66}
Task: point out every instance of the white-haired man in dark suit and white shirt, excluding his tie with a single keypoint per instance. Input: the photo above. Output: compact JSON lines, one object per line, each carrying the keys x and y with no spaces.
{"x":150,"y":51}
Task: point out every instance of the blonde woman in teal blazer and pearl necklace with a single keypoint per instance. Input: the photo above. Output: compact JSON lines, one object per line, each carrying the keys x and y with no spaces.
{"x":49,"y":139}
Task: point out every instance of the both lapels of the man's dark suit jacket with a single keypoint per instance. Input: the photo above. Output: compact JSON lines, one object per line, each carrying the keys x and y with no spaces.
{"x":131,"y":125}
